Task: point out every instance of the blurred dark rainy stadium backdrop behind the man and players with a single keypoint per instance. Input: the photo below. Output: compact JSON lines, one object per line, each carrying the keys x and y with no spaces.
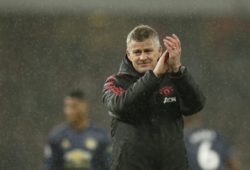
{"x":49,"y":47}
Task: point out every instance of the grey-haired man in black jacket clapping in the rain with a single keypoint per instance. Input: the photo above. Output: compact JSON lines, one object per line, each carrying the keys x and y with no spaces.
{"x":147,"y":99}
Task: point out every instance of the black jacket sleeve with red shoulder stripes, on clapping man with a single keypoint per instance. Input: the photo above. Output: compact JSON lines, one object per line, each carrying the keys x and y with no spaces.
{"x":120,"y":101}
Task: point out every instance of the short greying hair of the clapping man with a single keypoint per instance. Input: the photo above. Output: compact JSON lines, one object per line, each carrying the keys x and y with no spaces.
{"x":141,"y":33}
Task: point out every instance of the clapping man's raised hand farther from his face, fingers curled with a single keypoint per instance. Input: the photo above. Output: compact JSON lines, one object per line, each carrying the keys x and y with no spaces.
{"x":173,"y":46}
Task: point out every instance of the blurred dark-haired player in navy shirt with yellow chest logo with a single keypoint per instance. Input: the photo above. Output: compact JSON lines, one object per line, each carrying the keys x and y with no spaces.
{"x":75,"y":145}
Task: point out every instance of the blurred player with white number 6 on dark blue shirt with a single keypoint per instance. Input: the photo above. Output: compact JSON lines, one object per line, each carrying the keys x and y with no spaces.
{"x":206,"y":148}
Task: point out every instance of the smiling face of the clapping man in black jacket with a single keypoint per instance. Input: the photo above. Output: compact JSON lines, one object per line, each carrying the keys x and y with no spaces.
{"x":144,"y":55}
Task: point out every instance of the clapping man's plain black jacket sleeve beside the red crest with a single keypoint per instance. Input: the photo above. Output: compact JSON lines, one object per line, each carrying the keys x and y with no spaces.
{"x":192,"y":99}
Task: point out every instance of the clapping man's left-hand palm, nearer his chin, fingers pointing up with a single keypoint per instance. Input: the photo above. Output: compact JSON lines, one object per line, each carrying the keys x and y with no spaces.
{"x":161,"y":66}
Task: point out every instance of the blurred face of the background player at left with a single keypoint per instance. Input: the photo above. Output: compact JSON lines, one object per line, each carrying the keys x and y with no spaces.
{"x":75,"y":109}
